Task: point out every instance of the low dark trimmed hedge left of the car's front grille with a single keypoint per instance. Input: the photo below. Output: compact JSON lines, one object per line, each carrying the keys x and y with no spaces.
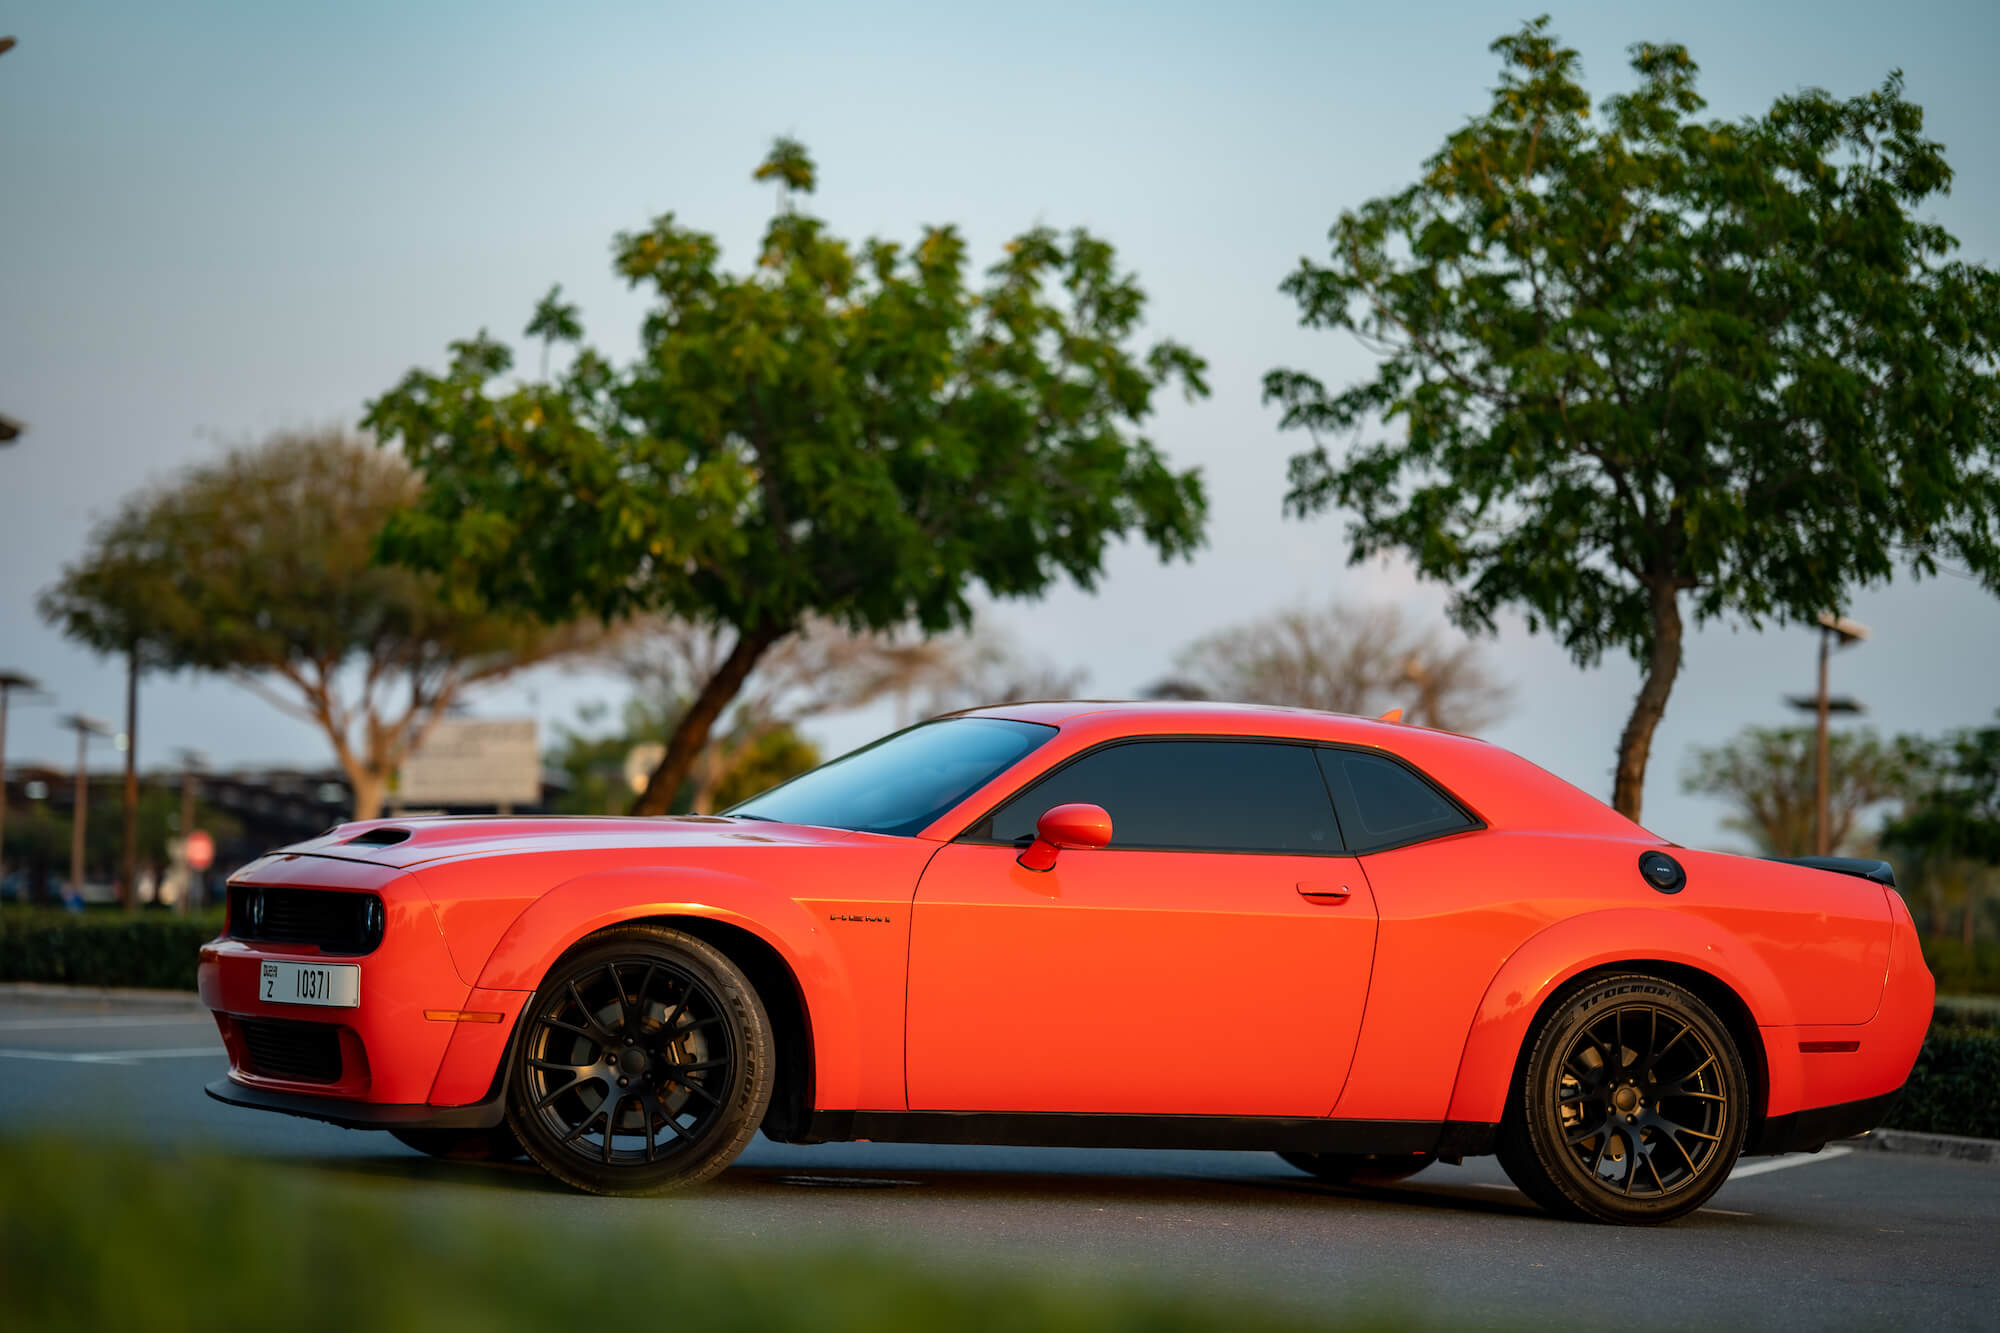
{"x":103,"y":948}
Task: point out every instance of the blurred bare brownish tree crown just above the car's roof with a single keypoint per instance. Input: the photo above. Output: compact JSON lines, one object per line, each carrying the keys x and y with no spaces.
{"x":1345,"y":659}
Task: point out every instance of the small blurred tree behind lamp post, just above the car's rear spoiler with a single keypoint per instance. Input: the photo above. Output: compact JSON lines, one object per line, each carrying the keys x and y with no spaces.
{"x":1771,"y":780}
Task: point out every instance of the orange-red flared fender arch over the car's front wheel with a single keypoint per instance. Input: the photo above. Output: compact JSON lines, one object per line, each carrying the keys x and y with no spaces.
{"x":591,"y":904}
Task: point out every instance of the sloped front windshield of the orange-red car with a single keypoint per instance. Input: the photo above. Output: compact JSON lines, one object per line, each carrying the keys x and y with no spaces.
{"x":901,"y":784}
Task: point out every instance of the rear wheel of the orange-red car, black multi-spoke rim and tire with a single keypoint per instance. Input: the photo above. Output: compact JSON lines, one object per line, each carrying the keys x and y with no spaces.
{"x":1631,"y":1108}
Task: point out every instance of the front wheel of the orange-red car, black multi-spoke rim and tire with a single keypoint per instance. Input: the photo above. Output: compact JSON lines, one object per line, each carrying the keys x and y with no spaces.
{"x":667,"y":1034}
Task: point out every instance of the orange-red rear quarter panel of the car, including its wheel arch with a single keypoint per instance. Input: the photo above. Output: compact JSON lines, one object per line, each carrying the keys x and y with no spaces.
{"x":1481,"y":930}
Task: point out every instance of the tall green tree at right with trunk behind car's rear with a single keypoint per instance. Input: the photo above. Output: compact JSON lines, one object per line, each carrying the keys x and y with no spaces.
{"x":1633,"y":357}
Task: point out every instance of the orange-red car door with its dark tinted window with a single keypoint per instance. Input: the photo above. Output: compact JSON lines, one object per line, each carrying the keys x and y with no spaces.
{"x":1213,"y":960}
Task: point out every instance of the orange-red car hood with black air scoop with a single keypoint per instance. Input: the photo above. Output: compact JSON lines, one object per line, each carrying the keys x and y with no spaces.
{"x":415,"y":842}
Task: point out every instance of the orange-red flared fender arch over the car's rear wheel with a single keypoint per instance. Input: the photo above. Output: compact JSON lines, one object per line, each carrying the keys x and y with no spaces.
{"x":1583,"y":944}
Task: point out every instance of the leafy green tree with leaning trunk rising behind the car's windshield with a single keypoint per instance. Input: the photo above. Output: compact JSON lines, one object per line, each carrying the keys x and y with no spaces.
{"x":843,"y":433}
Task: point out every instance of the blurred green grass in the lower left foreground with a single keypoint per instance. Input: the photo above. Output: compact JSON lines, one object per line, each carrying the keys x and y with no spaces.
{"x":115,"y":1240}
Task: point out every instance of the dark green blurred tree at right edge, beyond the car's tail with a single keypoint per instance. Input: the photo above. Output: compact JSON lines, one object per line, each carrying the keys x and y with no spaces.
{"x":1951,"y":826}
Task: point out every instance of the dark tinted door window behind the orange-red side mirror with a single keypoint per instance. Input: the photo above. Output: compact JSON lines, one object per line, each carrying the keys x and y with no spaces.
{"x":1203,"y":796}
